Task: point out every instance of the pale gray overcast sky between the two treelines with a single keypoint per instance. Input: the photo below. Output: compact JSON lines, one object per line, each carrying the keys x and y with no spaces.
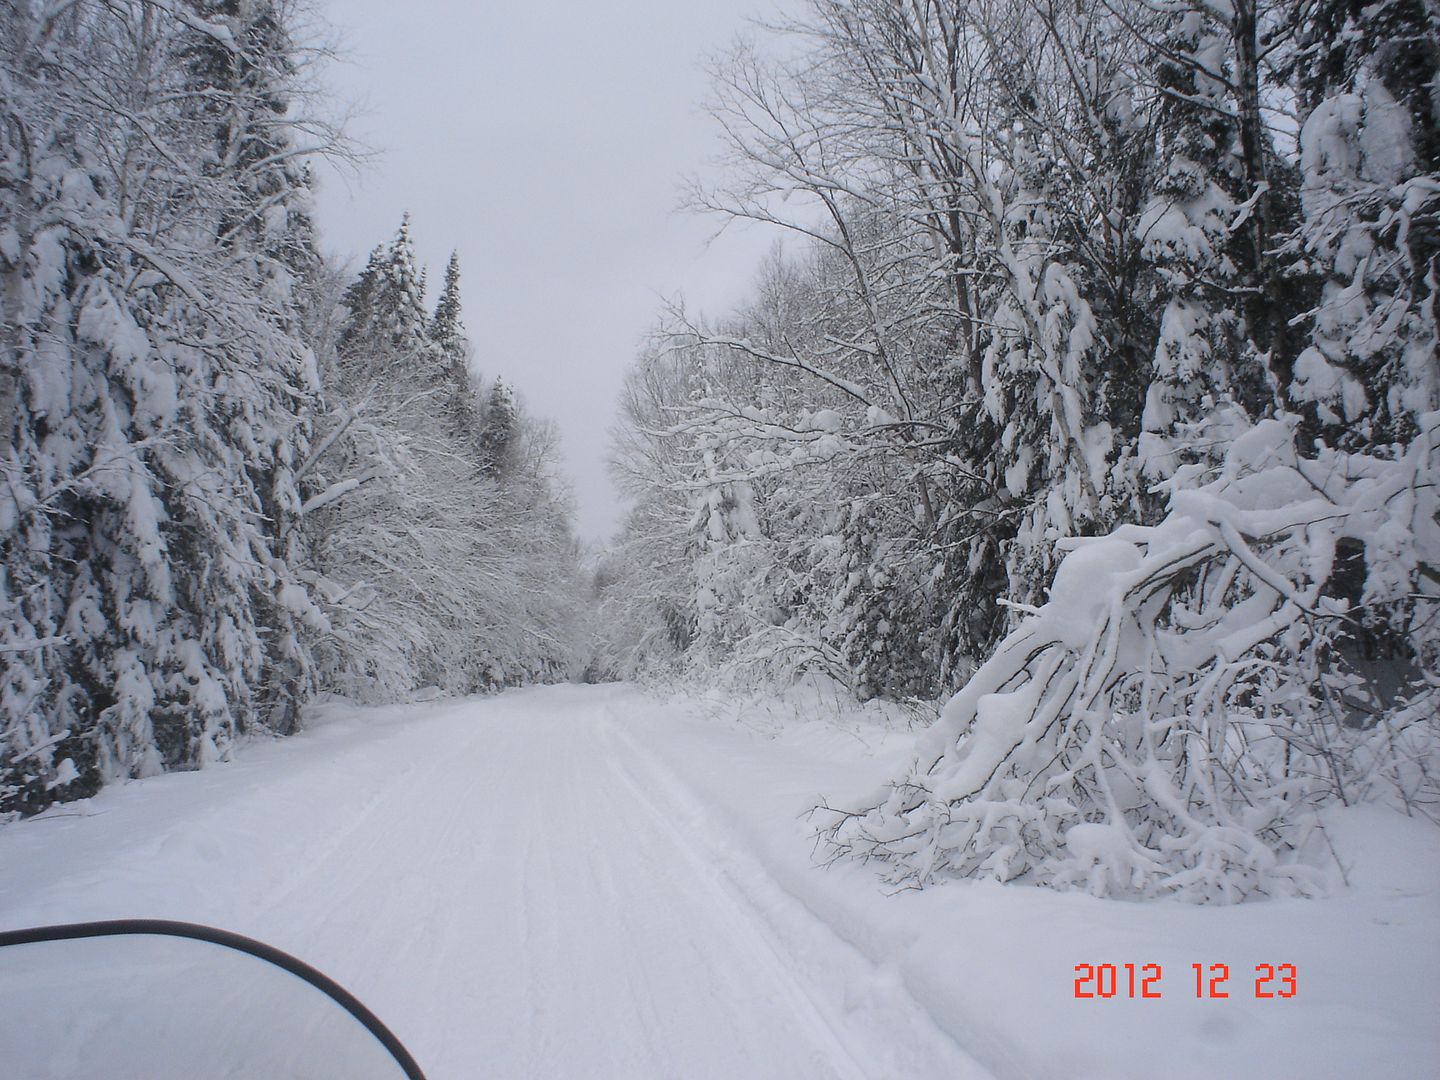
{"x":548,"y":145}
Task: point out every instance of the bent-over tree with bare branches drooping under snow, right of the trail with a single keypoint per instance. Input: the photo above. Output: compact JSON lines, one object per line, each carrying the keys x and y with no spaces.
{"x":1171,"y":719}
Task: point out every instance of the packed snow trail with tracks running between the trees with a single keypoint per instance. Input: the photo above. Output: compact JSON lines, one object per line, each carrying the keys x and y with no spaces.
{"x":512,"y":883}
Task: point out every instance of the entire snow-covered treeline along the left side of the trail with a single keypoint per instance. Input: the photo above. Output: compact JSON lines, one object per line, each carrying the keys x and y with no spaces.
{"x":231,"y":482}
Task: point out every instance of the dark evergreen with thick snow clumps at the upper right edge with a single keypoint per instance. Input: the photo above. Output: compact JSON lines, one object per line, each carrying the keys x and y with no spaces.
{"x":1370,"y":162}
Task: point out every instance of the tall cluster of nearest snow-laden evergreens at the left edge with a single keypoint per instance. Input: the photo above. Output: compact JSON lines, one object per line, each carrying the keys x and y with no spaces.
{"x":155,"y":391}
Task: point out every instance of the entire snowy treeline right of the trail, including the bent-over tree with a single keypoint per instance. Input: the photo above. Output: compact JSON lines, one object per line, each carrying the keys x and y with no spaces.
{"x":1055,"y":263}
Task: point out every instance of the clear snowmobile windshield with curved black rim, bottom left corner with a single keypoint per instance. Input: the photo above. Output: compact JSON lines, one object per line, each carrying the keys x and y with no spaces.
{"x":152,"y":1000}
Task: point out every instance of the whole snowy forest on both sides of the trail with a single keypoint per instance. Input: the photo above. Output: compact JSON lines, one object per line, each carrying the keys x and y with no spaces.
{"x":1094,"y":391}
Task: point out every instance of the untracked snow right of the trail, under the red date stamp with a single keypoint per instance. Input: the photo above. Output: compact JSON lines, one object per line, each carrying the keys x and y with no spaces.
{"x":996,"y":964}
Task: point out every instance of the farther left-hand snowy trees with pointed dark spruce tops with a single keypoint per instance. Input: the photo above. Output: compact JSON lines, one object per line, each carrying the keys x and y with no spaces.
{"x":441,"y":552}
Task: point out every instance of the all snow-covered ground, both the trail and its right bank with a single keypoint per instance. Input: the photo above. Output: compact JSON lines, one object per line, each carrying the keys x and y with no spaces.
{"x":585,"y":882}
